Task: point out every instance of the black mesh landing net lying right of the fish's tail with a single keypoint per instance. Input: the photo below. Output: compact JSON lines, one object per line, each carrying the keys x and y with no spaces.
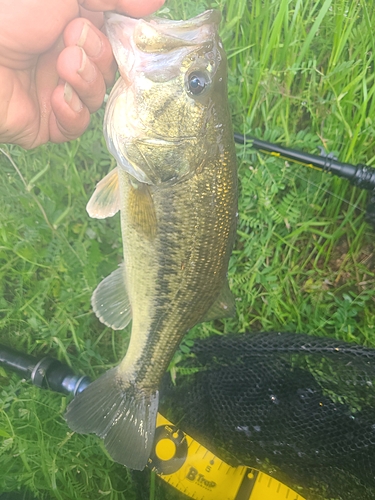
{"x":300,"y":408}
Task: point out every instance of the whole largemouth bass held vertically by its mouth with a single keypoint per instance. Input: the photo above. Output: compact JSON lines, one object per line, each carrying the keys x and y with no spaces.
{"x":168,"y":125}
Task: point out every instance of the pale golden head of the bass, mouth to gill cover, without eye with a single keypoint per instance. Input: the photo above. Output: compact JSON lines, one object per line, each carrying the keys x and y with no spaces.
{"x":156,"y":51}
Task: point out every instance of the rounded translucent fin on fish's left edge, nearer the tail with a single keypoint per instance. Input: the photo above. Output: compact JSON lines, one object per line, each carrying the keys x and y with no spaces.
{"x":110,"y":300}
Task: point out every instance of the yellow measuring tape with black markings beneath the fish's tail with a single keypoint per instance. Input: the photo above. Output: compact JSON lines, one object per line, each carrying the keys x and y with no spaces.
{"x":192,"y":469}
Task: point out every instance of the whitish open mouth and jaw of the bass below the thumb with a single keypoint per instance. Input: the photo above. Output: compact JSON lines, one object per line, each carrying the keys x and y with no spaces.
{"x":156,"y":46}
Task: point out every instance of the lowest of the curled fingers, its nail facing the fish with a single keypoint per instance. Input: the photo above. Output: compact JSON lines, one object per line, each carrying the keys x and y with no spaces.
{"x":69,"y":117}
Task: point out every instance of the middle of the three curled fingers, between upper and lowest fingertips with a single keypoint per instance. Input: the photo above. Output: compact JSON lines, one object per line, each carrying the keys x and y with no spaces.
{"x":83,"y":75}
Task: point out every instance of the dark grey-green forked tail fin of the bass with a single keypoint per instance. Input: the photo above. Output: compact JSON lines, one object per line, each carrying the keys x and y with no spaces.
{"x":120,"y":415}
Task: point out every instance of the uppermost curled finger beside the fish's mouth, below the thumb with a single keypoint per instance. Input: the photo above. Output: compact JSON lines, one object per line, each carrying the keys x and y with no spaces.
{"x":80,"y":32}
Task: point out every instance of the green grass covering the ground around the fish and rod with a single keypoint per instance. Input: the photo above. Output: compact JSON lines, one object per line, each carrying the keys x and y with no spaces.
{"x":300,"y":73}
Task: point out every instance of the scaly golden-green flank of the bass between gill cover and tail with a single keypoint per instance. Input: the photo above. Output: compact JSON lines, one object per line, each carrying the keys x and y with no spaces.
{"x":178,"y":280}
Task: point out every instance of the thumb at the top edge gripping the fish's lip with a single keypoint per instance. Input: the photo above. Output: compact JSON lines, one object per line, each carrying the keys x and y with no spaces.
{"x":134,"y":8}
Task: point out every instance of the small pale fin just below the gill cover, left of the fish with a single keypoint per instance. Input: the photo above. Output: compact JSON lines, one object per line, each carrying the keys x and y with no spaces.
{"x":105,"y":201}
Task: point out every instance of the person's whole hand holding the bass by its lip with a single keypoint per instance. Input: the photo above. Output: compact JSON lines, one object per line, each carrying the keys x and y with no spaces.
{"x":55,"y":64}
